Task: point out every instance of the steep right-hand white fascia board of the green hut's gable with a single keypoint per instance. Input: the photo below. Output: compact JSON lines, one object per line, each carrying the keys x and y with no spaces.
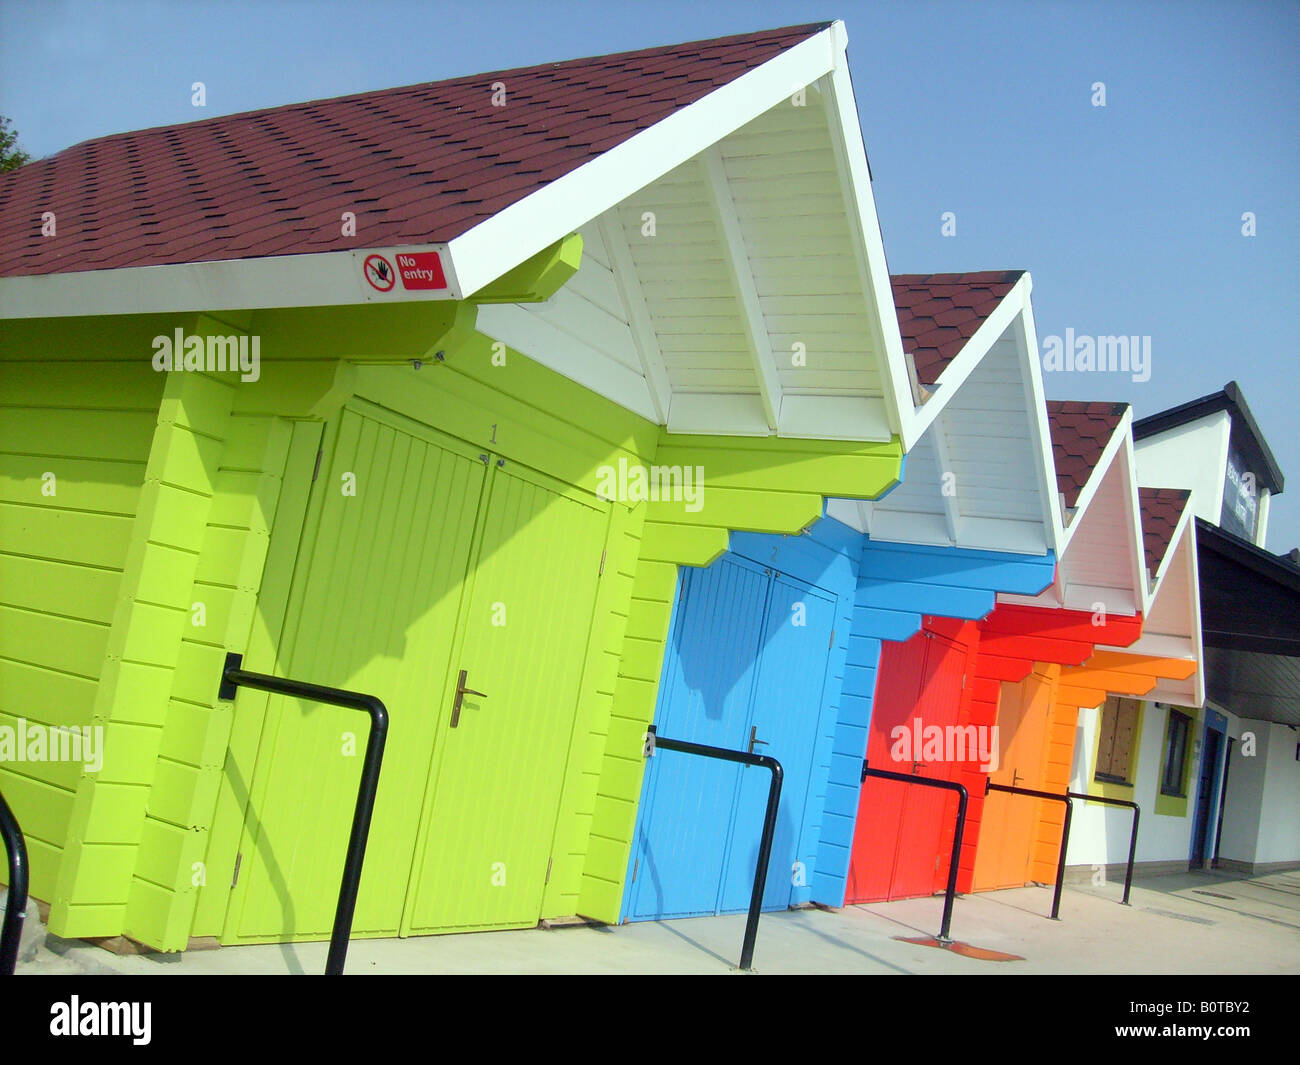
{"x":868,"y":239}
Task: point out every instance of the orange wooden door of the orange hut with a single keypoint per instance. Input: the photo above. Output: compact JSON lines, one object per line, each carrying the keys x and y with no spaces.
{"x":1009,"y":822}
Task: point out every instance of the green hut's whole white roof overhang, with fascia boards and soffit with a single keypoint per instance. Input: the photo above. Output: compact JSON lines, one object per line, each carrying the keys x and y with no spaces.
{"x":704,"y":144}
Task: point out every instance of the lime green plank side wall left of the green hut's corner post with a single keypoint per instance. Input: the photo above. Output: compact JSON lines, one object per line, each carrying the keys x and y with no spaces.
{"x":75,"y":441}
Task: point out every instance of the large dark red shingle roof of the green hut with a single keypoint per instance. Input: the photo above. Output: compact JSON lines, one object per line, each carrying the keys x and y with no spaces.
{"x":421,"y":164}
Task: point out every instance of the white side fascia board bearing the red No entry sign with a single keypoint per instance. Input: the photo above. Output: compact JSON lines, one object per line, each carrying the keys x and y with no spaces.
{"x":317,"y":280}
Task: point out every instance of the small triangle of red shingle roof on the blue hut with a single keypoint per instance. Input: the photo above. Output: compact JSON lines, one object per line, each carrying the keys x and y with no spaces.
{"x":938,"y":313}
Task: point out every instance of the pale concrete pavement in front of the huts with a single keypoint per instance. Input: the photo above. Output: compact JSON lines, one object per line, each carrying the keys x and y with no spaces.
{"x":1197,"y":923}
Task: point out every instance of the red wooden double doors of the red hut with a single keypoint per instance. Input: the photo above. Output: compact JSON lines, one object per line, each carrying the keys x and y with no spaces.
{"x":903,"y":835}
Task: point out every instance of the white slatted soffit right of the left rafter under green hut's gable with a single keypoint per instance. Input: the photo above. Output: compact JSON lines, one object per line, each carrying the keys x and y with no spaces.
{"x":792,"y":240}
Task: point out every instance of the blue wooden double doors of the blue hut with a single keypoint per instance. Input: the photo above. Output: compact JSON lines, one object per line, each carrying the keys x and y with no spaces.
{"x":746,"y":669}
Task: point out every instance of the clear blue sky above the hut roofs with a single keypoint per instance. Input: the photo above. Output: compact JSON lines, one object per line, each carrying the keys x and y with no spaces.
{"x":1128,"y":217}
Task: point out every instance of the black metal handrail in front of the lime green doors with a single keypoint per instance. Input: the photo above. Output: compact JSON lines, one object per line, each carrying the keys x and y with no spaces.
{"x":235,"y":678}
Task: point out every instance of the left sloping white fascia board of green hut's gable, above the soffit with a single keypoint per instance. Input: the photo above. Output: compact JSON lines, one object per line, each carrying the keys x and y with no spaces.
{"x":523,"y":230}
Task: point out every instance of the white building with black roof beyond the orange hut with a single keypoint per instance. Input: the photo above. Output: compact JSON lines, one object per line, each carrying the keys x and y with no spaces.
{"x":1219,"y":786}
